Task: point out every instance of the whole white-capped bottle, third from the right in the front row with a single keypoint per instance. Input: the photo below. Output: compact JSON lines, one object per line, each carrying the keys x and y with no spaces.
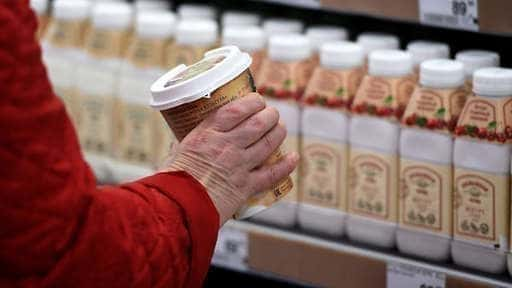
{"x":373,"y":136}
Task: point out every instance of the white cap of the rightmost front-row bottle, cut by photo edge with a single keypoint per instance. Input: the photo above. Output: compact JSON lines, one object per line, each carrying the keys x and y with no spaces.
{"x":495,"y":82}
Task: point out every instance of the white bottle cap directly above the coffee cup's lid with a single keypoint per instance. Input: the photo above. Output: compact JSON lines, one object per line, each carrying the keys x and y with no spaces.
{"x":196,"y":32}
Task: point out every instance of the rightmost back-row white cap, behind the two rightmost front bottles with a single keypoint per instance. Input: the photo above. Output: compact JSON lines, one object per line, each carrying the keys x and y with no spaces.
{"x":476,"y":59}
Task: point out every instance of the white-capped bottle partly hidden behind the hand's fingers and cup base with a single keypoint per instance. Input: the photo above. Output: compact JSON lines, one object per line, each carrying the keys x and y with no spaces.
{"x":282,"y":79}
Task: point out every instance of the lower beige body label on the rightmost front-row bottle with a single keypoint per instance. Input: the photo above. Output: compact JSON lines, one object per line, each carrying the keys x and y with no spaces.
{"x":481,"y":207}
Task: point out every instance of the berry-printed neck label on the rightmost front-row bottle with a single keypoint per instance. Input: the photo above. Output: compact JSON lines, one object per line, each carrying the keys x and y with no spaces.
{"x":486,"y":119}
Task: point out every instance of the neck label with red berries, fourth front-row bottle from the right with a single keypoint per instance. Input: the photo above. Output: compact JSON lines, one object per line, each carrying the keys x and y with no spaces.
{"x":333,"y":88}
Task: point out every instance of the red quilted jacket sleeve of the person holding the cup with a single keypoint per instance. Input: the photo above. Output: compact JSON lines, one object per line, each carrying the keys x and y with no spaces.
{"x":57,"y":228}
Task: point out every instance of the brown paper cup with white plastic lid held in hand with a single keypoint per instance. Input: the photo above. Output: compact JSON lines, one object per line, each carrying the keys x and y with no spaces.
{"x":186,"y":95}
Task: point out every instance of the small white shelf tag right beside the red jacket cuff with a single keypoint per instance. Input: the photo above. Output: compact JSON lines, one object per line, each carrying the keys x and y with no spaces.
{"x":232,"y":249}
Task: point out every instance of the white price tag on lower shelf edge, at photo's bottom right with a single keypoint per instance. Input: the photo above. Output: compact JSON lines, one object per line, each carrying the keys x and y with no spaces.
{"x":405,"y":275}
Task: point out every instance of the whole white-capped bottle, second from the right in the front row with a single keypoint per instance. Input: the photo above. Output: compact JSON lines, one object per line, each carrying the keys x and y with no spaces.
{"x":426,"y":150}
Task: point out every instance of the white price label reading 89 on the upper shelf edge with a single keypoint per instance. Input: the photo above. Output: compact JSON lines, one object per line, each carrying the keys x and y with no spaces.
{"x":456,"y":14}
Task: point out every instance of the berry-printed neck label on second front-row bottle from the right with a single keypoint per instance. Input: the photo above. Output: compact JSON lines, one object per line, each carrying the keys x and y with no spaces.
{"x":435,"y":109}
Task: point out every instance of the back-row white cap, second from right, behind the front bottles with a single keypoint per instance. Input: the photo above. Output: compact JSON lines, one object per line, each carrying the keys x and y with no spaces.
{"x":426,"y":50}
